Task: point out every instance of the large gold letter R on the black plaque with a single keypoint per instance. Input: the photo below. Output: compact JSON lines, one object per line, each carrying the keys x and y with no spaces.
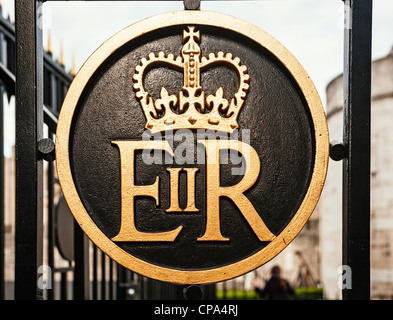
{"x":236,"y":193}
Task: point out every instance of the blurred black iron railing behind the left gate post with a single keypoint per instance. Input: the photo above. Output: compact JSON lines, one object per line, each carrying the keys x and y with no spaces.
{"x":89,"y":268}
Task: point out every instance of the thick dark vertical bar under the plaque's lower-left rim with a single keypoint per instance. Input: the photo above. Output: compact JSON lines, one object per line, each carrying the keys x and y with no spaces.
{"x":81,"y":269}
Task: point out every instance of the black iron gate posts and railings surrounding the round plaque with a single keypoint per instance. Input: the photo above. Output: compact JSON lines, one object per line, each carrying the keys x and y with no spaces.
{"x":40,"y":84}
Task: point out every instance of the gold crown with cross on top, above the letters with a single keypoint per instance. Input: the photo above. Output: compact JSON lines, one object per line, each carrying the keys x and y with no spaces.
{"x":191,"y":110}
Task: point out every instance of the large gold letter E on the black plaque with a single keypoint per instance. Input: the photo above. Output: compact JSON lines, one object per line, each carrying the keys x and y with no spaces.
{"x":129,"y":191}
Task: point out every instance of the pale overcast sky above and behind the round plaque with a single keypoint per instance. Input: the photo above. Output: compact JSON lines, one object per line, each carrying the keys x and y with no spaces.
{"x":311,"y":29}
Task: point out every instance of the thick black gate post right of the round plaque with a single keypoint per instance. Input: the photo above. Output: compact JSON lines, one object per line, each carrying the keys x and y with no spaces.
{"x":356,"y":167}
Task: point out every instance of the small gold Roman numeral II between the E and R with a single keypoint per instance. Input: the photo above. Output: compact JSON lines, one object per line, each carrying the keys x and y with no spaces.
{"x":174,"y":190}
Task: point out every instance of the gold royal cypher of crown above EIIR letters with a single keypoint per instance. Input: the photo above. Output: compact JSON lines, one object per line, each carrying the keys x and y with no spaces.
{"x":192,"y":110}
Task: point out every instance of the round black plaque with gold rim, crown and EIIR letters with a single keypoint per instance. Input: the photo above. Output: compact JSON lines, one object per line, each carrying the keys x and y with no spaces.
{"x":279,"y":115}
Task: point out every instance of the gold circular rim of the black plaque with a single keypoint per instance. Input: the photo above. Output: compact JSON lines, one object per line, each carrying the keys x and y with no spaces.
{"x":206,"y":275}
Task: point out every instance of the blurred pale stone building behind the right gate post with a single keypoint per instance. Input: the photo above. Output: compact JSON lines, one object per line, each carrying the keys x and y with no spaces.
{"x":329,"y":208}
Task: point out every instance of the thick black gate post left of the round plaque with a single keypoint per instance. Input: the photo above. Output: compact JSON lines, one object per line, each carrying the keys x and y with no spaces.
{"x":29,"y":128}
